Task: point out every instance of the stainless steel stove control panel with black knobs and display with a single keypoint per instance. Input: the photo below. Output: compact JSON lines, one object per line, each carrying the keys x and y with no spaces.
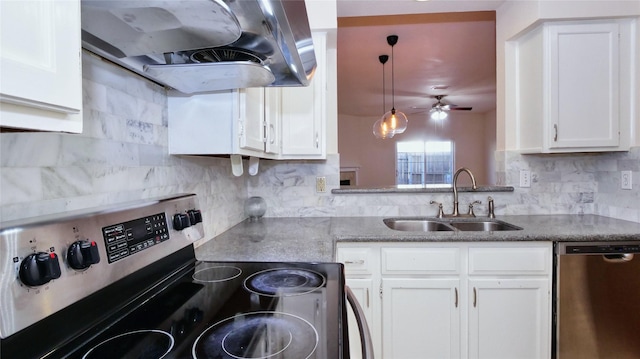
{"x":48,"y":263}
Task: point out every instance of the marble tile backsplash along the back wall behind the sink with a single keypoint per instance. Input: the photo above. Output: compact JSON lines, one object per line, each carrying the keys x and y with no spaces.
{"x":561,"y":184}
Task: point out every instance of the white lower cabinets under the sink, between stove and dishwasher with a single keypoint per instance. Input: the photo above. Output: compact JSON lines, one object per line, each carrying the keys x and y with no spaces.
{"x":454,"y":300}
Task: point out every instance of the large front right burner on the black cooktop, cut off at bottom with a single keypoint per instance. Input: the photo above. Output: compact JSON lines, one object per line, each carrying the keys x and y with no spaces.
{"x":258,"y":335}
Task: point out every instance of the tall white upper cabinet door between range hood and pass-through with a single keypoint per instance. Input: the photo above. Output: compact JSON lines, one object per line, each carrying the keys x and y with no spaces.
{"x":304,"y":111}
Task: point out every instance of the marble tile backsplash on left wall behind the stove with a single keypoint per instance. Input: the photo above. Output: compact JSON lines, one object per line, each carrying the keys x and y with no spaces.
{"x":121,"y":156}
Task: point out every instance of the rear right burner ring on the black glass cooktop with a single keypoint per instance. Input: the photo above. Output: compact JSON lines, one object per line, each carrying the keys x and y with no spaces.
{"x":284,"y":282}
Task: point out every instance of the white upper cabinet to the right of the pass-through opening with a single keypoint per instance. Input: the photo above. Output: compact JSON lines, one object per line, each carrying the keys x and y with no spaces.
{"x":573,"y":88}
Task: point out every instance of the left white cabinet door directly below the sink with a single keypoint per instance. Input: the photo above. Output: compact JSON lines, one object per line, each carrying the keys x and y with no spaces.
{"x":421,"y":318}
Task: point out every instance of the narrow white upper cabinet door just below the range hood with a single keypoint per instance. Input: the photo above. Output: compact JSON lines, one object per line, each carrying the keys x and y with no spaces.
{"x":252,"y":111}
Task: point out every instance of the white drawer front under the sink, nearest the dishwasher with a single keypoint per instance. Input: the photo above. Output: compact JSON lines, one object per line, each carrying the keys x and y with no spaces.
{"x":510,"y":260}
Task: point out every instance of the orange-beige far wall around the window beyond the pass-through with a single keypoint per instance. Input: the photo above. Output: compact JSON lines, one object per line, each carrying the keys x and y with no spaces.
{"x":473,"y":135}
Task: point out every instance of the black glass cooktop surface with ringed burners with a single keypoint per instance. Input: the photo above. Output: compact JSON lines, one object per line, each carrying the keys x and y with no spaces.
{"x":234,"y":310}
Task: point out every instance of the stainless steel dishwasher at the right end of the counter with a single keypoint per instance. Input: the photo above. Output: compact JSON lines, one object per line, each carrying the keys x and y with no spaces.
{"x":597,"y":300}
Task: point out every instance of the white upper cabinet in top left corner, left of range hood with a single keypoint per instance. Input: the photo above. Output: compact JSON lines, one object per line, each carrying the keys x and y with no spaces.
{"x":41,"y":87}
